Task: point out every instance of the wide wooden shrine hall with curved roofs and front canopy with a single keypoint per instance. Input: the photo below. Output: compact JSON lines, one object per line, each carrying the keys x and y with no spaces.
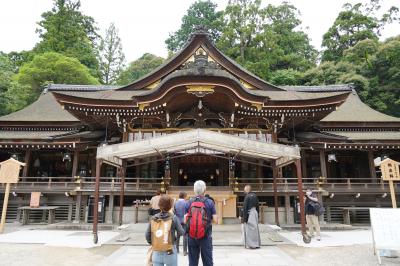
{"x":200,"y":115}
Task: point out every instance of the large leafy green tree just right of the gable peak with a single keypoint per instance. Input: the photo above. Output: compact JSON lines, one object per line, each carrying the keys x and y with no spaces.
{"x":265,"y":40}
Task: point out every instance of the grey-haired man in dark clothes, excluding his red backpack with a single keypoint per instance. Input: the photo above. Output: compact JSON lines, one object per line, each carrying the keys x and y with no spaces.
{"x":202,"y":246}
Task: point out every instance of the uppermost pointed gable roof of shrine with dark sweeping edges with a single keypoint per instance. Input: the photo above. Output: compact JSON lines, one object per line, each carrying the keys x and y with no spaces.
{"x":200,"y":40}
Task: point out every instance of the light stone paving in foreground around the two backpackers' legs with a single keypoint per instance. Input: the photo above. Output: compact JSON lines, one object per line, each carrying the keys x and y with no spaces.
{"x":223,"y":256}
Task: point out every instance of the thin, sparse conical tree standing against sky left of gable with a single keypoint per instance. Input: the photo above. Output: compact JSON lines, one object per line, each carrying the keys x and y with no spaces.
{"x":111,"y":56}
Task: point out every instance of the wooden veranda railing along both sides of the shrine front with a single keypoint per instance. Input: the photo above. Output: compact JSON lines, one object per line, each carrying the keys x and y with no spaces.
{"x":132,"y":184}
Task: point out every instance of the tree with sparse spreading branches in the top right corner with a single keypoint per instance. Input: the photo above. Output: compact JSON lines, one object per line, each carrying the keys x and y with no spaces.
{"x":355,"y":23}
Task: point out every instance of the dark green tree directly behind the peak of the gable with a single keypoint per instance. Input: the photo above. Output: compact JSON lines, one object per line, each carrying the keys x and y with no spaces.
{"x":200,"y":13}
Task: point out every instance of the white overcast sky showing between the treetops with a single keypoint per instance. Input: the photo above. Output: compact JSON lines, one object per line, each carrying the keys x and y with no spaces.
{"x":144,"y":25}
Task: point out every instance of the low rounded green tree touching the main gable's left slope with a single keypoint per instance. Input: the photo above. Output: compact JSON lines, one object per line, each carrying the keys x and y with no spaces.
{"x":140,"y":67}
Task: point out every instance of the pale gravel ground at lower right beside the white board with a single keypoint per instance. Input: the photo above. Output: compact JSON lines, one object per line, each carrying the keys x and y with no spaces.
{"x":359,"y":255}
